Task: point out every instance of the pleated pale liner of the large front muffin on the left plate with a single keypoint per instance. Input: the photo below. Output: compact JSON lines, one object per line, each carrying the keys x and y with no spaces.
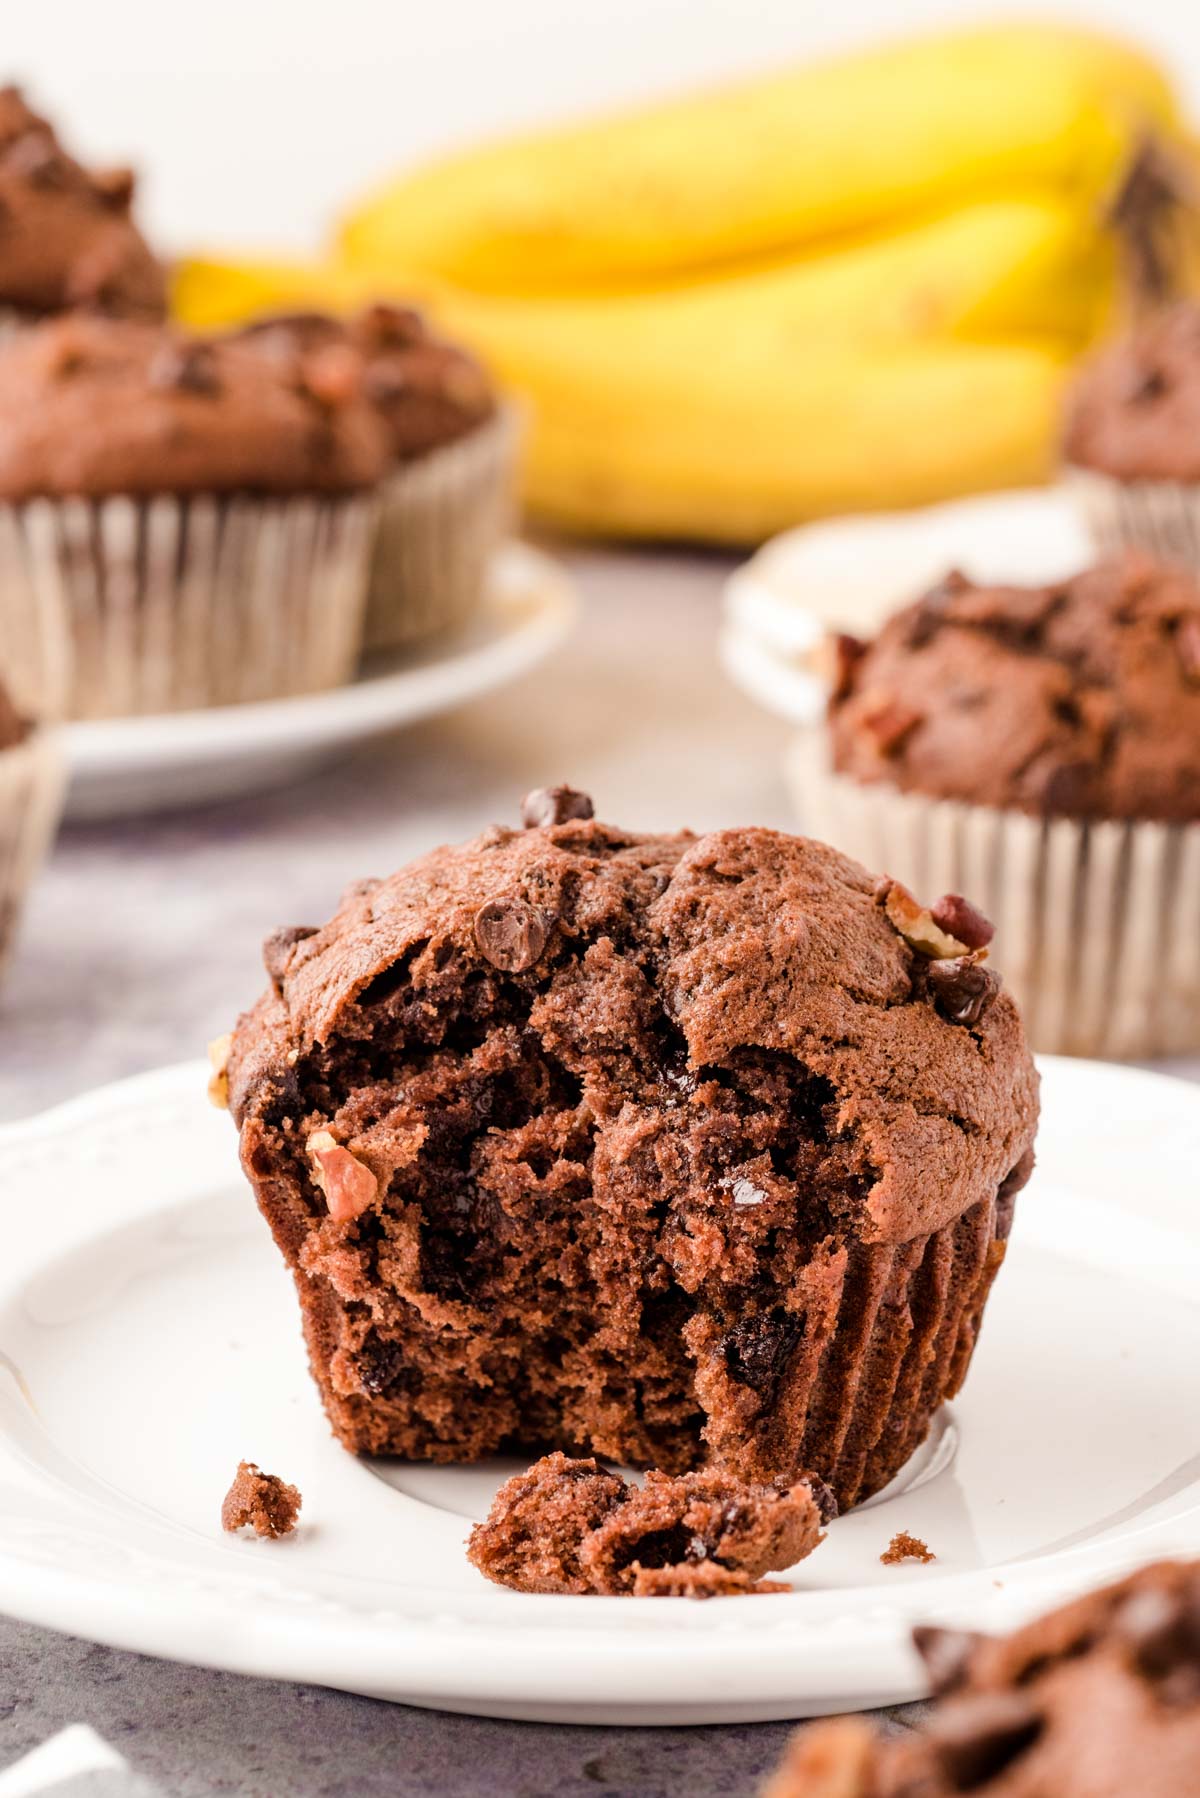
{"x":174,"y":603}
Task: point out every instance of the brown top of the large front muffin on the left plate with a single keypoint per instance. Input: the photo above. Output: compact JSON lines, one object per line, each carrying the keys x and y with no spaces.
{"x":103,"y":407}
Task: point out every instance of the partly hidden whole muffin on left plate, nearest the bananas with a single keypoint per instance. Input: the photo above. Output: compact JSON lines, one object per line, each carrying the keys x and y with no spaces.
{"x":447,"y":503}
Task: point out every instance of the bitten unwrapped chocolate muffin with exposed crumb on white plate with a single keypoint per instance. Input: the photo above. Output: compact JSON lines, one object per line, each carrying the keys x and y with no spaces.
{"x":681,"y":1152}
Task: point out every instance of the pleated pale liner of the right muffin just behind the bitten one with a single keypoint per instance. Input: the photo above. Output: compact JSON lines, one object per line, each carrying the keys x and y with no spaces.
{"x":1098,"y":925}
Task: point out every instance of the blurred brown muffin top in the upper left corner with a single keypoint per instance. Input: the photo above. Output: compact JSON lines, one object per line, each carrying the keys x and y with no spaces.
{"x":67,"y":236}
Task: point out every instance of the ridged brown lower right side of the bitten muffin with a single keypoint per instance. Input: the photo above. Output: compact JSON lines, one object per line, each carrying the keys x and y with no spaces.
{"x":888,"y":1331}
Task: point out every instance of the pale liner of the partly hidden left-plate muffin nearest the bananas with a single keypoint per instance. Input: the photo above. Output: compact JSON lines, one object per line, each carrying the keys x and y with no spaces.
{"x":442,"y":519}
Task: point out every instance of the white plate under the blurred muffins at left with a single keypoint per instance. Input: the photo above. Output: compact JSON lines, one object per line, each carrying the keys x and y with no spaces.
{"x":132,"y":765}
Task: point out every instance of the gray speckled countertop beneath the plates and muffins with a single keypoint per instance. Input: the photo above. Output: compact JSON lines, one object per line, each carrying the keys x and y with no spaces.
{"x":143,"y":943}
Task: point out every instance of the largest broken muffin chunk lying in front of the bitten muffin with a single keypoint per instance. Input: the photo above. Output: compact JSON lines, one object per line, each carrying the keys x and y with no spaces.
{"x":575,"y":1527}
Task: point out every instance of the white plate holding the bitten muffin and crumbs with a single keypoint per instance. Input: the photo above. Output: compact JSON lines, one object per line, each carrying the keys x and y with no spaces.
{"x":148,"y":1340}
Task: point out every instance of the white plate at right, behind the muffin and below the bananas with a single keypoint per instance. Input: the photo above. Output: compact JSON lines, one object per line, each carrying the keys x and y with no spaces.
{"x":852,"y":573}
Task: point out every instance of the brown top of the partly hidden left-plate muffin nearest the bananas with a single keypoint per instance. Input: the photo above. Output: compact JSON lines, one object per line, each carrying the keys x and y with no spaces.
{"x":429,"y":393}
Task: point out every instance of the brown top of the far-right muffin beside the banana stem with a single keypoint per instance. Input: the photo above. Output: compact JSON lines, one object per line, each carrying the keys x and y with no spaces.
{"x":1136,"y":409}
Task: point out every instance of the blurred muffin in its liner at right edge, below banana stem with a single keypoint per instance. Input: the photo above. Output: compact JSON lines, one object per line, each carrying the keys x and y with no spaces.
{"x":1133,"y":438}
